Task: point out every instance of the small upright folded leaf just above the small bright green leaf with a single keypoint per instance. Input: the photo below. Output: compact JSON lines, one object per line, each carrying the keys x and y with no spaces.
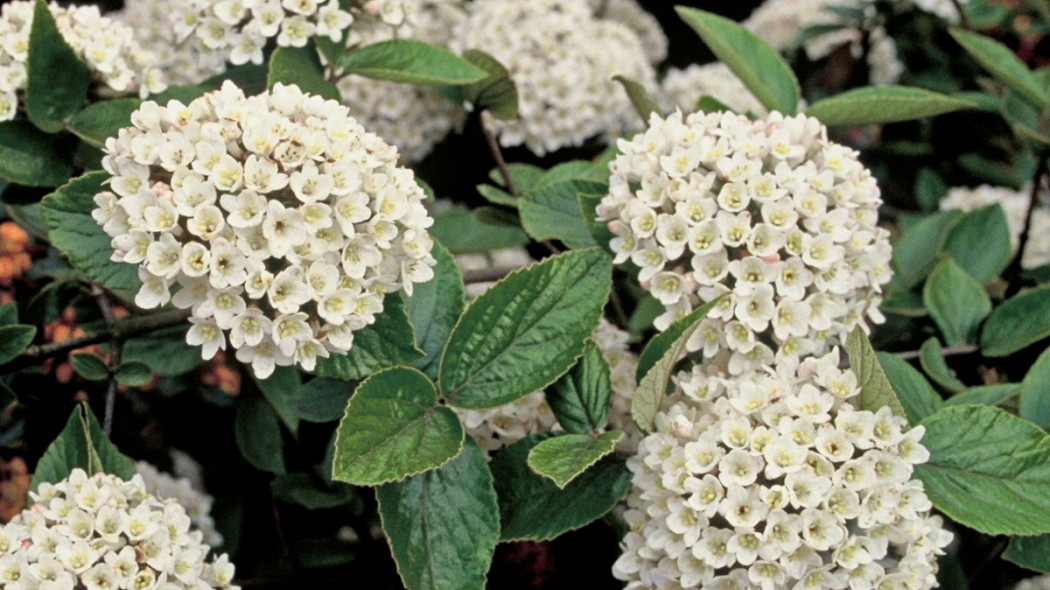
{"x":580,"y":399}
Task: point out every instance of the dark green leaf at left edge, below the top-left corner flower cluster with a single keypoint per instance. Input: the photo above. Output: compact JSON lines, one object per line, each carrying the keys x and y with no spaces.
{"x":31,"y":158}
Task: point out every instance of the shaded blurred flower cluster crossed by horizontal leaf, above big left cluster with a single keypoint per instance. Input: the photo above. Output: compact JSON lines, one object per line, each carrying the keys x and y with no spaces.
{"x":415,"y":119}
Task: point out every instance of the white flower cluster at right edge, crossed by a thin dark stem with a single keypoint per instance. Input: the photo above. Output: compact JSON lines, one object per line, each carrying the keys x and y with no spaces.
{"x":1015,"y":206}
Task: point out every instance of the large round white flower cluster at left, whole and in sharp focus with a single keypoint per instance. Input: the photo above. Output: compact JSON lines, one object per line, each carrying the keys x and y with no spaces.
{"x":281,"y":219}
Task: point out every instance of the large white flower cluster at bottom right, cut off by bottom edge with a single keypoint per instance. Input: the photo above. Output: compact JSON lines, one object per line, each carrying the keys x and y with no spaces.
{"x":776,"y":481}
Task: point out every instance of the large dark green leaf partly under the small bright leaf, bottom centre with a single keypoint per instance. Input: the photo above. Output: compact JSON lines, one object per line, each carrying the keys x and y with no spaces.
{"x":532,"y":508}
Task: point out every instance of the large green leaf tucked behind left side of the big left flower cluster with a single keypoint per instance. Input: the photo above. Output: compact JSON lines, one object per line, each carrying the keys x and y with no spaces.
{"x":68,"y":214}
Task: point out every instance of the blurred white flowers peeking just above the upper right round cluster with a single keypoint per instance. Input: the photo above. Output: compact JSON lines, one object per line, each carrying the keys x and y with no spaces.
{"x":683,"y":89}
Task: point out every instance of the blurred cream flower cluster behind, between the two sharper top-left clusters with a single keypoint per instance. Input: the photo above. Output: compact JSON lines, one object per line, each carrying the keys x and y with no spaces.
{"x":183,"y":64}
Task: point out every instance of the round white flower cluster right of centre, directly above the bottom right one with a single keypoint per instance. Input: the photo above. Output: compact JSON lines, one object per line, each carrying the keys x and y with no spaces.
{"x":768,"y":213}
